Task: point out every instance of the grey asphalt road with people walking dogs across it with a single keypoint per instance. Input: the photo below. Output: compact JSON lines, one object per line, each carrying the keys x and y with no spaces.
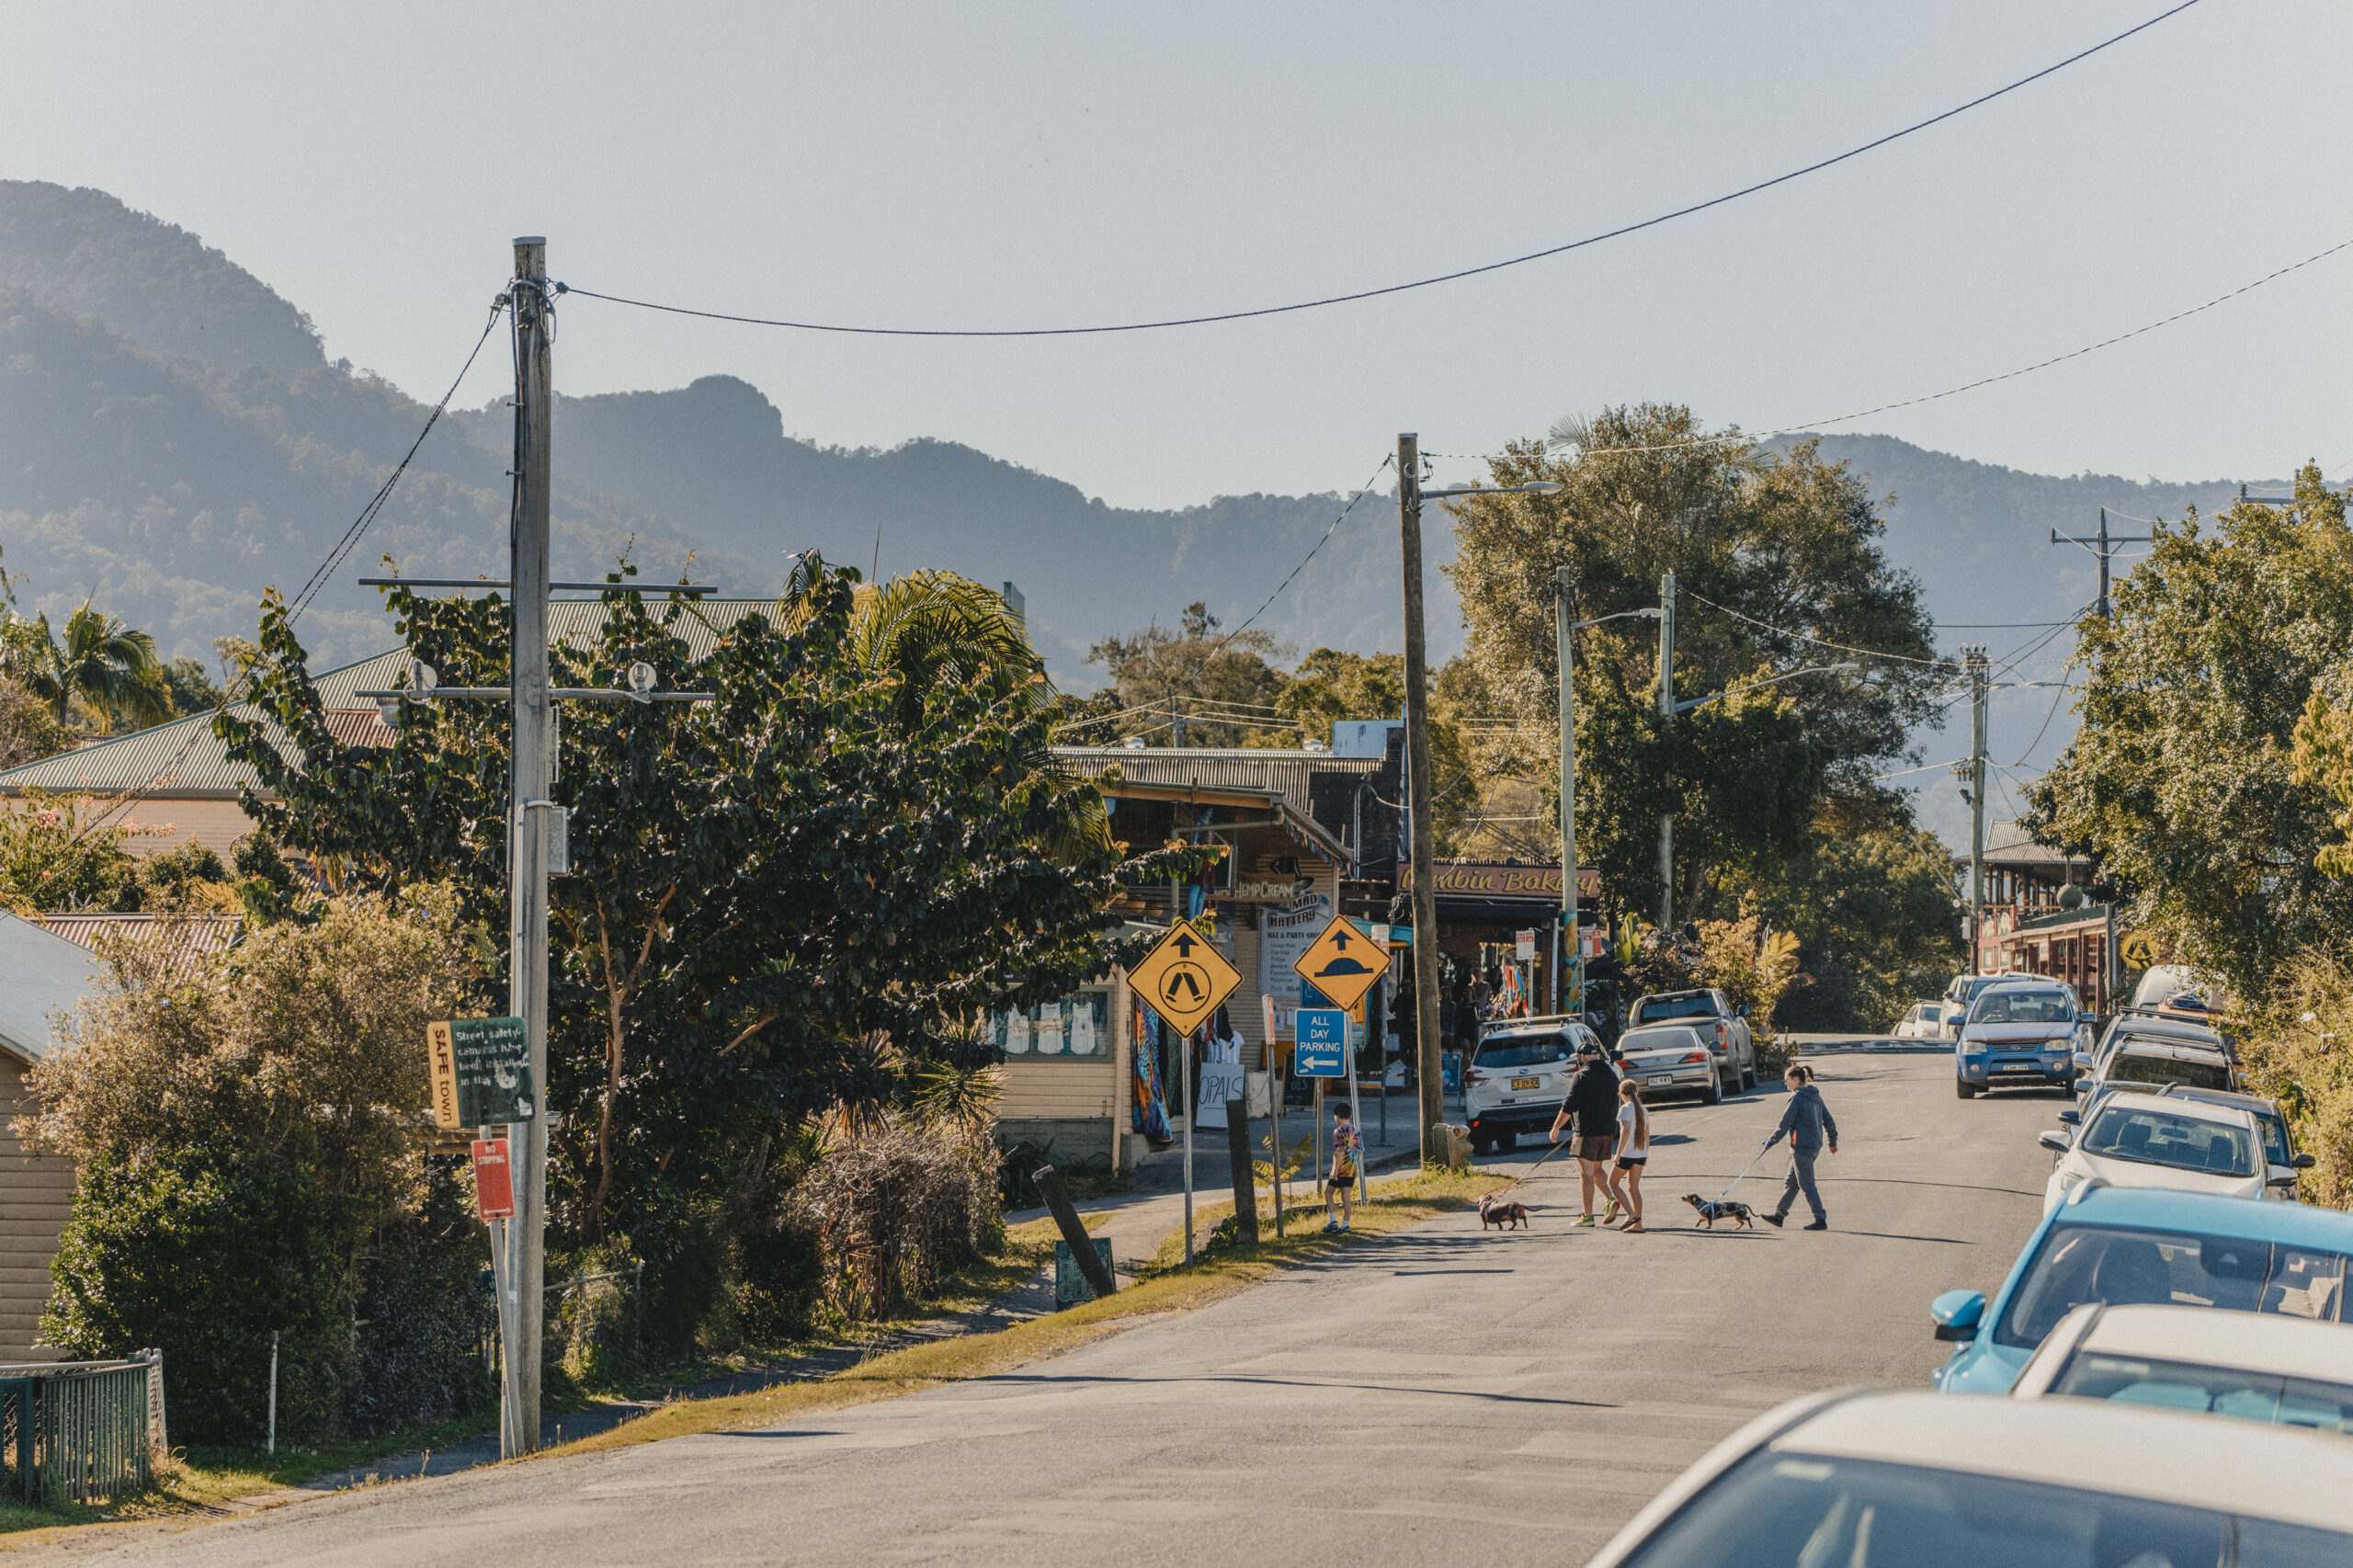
{"x":1434,"y":1397}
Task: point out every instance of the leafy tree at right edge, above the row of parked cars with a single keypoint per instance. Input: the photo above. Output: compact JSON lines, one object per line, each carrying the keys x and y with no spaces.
{"x":2185,"y":778}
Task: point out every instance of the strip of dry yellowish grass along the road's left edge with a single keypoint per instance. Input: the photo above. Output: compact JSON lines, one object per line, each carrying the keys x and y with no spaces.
{"x":1168,"y":1289}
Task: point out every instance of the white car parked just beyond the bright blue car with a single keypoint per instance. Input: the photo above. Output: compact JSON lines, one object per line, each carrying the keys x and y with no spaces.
{"x":2161,"y":1141}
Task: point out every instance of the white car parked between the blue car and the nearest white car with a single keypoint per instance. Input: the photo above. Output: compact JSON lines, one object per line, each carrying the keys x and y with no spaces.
{"x":2260,"y":1369}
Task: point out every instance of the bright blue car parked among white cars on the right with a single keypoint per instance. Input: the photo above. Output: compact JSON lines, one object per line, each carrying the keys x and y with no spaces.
{"x":2145,"y":1244}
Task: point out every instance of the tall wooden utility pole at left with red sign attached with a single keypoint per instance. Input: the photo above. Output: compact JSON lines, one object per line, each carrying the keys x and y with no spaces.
{"x":528,"y":816}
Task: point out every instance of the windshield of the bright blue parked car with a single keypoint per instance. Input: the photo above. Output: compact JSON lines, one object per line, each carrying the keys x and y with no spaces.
{"x":2095,"y":1263}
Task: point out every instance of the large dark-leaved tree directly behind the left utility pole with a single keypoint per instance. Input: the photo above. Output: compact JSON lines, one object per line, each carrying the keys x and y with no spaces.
{"x":764,"y":886}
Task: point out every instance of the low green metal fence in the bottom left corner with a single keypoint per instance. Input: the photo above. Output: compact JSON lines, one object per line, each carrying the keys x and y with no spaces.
{"x":81,"y":1430}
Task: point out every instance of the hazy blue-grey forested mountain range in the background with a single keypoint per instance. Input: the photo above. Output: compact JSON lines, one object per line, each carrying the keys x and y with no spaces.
{"x":173,"y":439}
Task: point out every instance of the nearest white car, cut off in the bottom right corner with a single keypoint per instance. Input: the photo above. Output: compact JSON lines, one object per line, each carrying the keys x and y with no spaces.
{"x":1869,"y":1480}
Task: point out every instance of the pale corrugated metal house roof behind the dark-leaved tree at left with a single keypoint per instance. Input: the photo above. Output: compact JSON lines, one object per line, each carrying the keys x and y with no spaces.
{"x":185,"y":759}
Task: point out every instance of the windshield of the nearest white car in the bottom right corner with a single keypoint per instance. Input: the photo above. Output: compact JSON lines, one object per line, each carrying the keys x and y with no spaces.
{"x":1797,"y":1510}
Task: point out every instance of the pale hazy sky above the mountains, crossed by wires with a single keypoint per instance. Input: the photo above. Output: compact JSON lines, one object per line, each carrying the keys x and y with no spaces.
{"x":1074,"y":164}
